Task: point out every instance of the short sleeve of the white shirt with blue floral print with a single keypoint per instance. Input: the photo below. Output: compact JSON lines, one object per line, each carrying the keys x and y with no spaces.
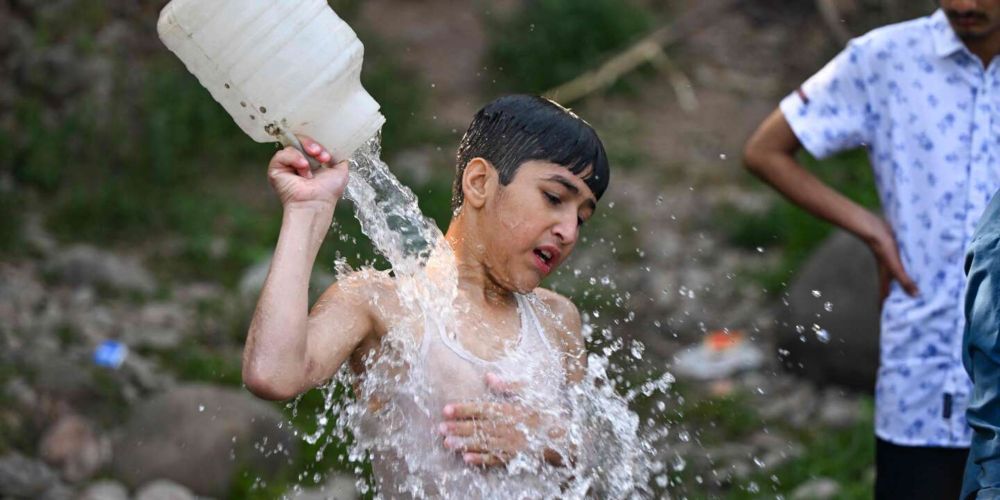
{"x":831,"y":111}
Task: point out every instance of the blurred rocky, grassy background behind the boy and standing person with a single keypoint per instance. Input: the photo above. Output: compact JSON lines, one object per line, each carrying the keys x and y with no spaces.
{"x":133,"y":209}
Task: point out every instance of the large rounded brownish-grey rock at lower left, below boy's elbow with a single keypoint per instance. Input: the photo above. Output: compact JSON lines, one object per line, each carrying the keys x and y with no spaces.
{"x":197,"y":435}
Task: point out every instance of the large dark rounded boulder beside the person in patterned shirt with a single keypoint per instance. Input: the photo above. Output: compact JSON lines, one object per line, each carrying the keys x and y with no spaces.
{"x":829,"y":330}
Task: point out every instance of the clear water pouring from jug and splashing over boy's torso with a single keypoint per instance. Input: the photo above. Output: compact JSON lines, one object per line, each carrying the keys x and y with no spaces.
{"x":396,"y":408}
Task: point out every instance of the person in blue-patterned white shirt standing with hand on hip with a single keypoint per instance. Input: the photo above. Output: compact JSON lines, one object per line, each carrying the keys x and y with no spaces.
{"x":923,"y":98}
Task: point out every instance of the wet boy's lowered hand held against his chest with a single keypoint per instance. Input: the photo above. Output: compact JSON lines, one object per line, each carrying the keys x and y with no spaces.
{"x":490,"y":434}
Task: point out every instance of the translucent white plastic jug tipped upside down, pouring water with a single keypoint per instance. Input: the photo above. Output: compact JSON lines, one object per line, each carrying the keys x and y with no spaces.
{"x":278,"y":67}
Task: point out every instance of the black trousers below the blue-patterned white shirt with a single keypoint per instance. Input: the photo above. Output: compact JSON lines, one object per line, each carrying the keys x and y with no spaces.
{"x":917,"y":473}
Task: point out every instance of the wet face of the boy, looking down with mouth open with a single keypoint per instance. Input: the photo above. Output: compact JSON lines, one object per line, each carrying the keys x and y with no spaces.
{"x":532,"y":224}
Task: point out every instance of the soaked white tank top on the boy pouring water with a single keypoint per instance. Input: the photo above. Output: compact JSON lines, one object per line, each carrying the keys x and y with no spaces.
{"x":412,"y":462}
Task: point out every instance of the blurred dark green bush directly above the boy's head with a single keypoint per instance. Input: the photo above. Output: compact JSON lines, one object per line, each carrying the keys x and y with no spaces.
{"x":547,"y":42}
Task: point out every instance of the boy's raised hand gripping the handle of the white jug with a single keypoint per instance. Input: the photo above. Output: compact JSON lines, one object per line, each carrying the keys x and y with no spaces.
{"x":295,"y":183}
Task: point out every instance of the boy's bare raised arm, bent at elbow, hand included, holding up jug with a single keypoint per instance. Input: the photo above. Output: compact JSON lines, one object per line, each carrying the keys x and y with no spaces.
{"x":289,"y":350}
